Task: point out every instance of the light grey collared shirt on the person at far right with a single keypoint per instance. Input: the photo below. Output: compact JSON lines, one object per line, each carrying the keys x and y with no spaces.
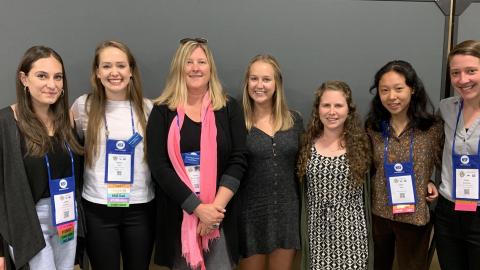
{"x":466,"y":142}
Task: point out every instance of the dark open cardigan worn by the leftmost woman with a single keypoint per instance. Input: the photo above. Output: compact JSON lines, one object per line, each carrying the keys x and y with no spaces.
{"x":19,"y":224}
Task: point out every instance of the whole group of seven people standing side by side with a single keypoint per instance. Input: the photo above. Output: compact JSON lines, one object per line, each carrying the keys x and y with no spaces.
{"x":125,"y":173}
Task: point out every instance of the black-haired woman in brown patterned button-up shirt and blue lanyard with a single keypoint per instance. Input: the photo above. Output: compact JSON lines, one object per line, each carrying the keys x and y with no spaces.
{"x":407,"y":144}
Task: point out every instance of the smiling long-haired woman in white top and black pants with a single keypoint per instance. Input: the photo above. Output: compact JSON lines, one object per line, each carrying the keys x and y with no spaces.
{"x":118,"y":193}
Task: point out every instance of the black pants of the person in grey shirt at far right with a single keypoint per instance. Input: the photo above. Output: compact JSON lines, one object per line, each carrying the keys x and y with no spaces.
{"x":458,"y":237}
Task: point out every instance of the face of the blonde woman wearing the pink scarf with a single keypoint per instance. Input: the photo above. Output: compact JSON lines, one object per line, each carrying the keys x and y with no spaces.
{"x":197,"y":71}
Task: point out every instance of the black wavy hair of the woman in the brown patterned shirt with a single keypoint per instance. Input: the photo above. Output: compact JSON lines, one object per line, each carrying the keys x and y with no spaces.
{"x":420,"y":110}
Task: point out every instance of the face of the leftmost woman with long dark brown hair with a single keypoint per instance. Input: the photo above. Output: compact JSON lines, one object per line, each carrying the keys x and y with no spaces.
{"x":44,"y":81}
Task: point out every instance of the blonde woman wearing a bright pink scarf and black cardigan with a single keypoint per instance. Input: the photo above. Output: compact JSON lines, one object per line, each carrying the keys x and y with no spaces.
{"x":196,"y":152}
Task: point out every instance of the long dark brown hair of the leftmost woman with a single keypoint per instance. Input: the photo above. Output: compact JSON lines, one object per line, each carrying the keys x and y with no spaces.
{"x":32,"y":128}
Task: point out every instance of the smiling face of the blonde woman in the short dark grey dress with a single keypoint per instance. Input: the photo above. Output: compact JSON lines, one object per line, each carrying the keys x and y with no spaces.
{"x":261,"y":83}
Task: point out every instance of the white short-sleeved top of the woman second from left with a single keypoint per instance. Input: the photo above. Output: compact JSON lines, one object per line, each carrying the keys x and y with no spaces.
{"x":119,"y":124}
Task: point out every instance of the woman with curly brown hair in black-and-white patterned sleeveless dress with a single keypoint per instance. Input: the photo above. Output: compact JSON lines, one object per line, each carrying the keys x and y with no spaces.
{"x":333,"y":164}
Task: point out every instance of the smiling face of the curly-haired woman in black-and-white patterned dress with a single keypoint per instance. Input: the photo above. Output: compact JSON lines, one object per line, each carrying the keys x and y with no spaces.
{"x":333,"y":110}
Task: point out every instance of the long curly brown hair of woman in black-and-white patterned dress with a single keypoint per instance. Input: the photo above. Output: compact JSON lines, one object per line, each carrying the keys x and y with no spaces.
{"x":356,"y":140}
